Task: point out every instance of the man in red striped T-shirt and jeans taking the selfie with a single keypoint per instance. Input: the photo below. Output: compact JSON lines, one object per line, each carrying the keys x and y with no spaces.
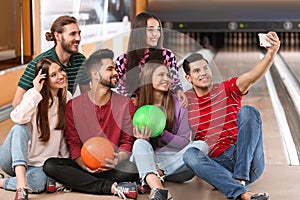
{"x":235,"y":155}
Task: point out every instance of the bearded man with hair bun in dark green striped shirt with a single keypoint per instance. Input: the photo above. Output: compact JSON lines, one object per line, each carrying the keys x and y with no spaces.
{"x":66,"y":36}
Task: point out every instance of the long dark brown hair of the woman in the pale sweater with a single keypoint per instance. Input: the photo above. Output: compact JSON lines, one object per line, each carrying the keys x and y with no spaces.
{"x":42,"y":120}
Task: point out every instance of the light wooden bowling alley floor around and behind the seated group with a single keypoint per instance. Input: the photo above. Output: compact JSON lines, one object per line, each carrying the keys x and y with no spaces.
{"x":279,"y":179}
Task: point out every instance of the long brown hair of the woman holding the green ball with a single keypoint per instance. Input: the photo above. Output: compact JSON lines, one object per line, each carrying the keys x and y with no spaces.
{"x":146,"y":92}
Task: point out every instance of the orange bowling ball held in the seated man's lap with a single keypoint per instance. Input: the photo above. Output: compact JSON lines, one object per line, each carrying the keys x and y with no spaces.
{"x":95,"y":150}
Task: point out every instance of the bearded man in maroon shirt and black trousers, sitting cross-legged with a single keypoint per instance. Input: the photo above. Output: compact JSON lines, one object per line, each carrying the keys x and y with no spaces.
{"x":98,"y":112}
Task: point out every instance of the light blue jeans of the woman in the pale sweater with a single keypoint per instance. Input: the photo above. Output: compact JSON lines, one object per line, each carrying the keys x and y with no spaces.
{"x":13,"y":152}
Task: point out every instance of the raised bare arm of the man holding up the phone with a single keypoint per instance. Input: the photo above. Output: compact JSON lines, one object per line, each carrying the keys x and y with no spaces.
{"x":246,"y":80}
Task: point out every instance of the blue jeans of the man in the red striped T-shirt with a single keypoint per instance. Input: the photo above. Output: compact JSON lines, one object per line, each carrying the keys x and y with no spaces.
{"x":244,"y":160}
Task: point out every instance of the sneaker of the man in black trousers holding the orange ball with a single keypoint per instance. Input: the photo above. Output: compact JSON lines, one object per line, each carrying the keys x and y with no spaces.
{"x":126,"y":189}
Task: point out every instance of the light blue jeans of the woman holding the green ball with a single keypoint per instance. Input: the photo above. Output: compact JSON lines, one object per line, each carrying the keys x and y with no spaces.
{"x":171,"y":163}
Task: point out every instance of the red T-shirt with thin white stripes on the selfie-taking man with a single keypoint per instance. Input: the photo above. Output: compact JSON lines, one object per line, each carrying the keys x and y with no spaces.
{"x":213,"y":117}
